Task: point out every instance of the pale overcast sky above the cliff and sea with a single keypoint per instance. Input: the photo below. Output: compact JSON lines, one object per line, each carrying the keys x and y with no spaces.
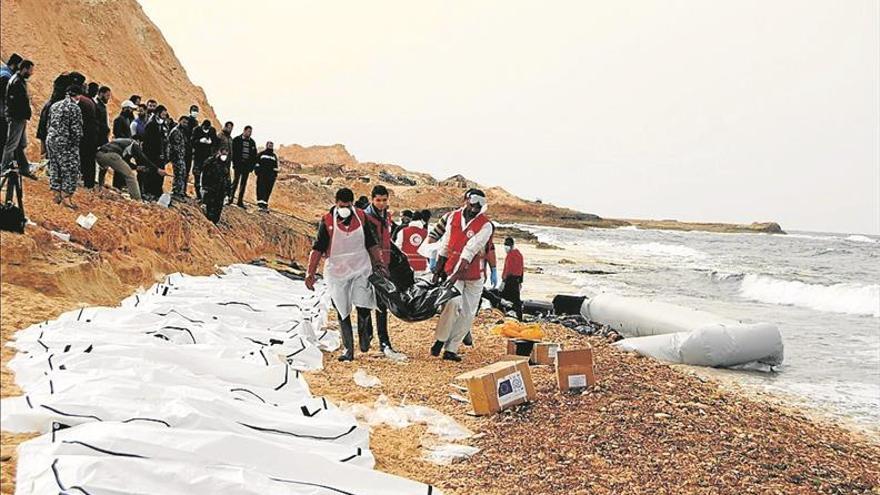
{"x":696,"y":110}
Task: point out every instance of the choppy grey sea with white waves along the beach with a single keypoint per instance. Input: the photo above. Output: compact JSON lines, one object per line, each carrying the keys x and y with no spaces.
{"x":821,"y":290}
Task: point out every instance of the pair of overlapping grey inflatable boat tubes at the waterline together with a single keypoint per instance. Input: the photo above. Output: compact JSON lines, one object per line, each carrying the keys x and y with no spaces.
{"x":681,"y":335}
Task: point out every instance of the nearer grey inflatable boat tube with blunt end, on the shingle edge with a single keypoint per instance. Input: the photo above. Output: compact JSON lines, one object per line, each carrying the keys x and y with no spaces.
{"x":714,"y":345}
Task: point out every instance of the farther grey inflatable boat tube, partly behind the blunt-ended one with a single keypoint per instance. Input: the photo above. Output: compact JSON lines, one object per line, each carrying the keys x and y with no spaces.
{"x":632,"y":317}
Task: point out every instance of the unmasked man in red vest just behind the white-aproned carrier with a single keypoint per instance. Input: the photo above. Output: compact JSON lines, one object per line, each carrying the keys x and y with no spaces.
{"x":380,"y":219}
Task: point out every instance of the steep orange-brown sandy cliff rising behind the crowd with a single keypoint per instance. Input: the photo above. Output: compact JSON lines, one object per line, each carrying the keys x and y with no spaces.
{"x":111,"y":42}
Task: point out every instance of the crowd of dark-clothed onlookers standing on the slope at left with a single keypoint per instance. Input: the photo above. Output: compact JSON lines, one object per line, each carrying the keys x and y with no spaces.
{"x":142,"y":145}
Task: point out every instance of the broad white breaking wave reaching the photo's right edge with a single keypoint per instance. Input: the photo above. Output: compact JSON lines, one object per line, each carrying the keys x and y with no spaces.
{"x":854,"y":299}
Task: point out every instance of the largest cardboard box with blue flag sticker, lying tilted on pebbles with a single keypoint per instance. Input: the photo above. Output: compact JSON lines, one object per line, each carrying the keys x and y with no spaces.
{"x":499,"y":386}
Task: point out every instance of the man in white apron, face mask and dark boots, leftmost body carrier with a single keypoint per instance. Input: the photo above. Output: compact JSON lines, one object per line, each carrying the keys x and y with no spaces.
{"x":349,"y":243}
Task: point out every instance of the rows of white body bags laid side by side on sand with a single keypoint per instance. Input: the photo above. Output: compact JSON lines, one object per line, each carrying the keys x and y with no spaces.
{"x":194,"y":387}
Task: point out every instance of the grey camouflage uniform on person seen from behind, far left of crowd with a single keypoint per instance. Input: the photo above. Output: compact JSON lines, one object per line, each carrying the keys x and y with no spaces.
{"x":62,"y":145}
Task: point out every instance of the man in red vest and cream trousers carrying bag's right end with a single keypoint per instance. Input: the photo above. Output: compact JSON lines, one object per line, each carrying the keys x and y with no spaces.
{"x":462,"y":249}
